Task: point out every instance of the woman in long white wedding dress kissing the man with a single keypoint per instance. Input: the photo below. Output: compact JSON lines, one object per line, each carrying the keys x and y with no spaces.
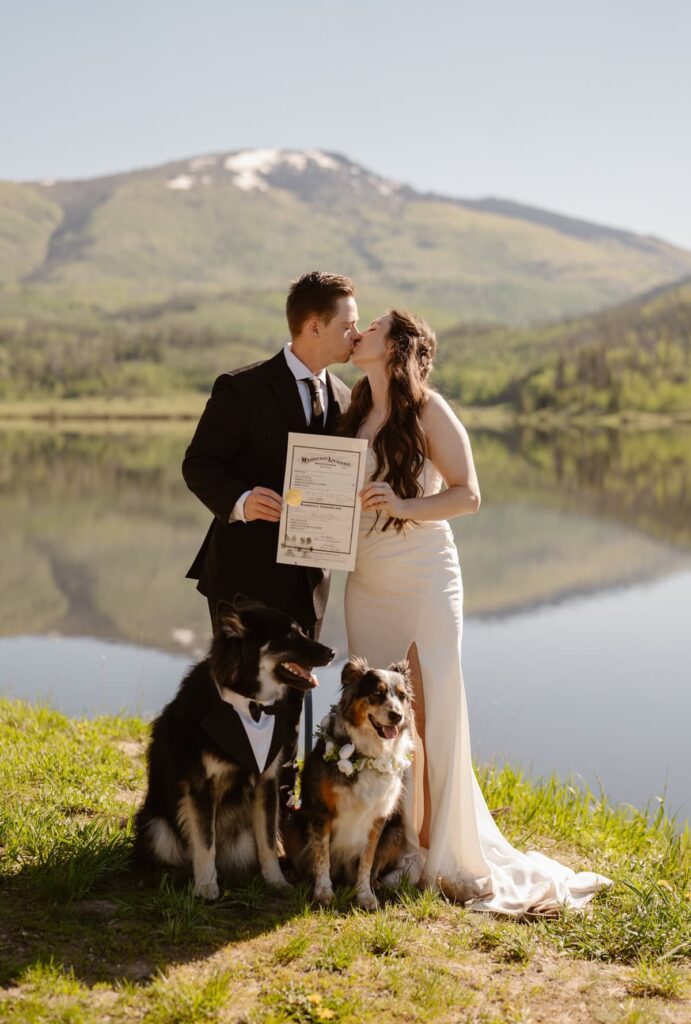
{"x":406,"y":595}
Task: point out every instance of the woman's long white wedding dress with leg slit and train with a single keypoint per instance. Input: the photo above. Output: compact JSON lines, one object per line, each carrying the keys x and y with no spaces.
{"x":408,"y":588}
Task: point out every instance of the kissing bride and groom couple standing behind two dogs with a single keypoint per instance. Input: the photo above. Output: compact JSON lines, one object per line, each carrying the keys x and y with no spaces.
{"x":405,"y":599}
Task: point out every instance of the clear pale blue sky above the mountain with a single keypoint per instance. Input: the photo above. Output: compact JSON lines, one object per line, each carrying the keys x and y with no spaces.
{"x":580,"y":108}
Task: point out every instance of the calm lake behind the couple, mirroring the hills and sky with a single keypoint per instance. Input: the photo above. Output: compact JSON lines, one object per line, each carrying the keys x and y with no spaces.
{"x":577,"y":572}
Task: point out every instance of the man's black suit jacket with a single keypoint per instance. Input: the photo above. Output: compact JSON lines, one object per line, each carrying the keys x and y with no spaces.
{"x":241,"y":442}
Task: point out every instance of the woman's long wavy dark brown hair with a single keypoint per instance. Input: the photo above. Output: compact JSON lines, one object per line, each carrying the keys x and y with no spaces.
{"x":400,"y":444}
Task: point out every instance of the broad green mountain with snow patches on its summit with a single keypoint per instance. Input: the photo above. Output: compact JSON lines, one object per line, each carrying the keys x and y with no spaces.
{"x":153,"y":280}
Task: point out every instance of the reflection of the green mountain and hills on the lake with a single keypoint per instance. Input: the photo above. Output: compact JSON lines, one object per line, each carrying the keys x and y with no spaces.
{"x":98,"y":531}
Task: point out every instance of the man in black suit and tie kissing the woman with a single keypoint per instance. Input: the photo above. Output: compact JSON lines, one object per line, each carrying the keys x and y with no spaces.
{"x":237,"y":459}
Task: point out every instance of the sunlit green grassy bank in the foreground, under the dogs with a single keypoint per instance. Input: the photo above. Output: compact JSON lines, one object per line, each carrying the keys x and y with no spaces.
{"x":85,"y":938}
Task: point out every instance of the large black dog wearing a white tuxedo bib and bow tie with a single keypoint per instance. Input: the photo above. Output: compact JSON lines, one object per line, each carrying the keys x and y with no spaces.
{"x":218,"y":749}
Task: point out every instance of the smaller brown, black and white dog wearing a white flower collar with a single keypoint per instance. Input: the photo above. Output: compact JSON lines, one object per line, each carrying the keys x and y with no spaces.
{"x":350,"y":826}
